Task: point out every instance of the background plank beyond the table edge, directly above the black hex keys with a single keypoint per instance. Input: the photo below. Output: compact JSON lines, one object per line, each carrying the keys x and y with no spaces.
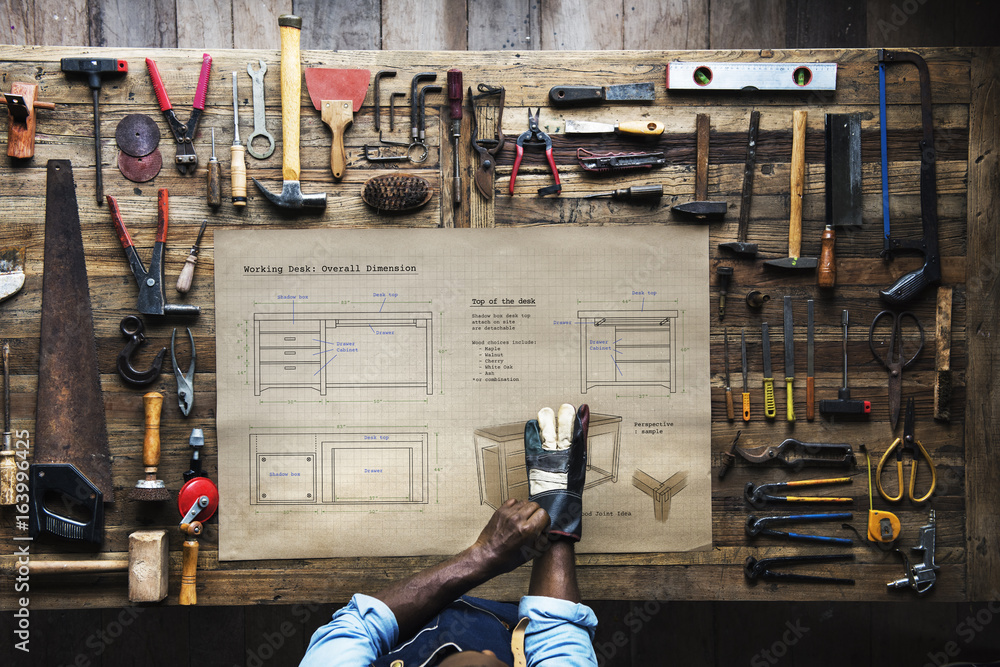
{"x":425,"y":25}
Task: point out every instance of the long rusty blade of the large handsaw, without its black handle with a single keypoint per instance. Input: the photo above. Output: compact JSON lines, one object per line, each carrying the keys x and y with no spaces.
{"x":70,"y":422}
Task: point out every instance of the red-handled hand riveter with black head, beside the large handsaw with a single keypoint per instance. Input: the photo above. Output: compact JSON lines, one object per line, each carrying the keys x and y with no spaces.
{"x":152,"y":296}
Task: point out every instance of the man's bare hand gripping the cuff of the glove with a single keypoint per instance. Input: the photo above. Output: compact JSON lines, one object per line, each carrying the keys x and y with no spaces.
{"x":512,"y":536}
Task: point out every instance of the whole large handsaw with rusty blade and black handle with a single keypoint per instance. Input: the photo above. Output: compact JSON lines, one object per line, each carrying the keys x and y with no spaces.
{"x":72,"y":460}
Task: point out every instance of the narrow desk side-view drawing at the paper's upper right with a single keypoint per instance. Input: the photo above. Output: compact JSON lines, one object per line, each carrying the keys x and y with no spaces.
{"x":628,"y":347}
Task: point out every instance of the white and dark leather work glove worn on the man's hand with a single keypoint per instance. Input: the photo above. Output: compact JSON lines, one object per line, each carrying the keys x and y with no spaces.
{"x":555,"y":452}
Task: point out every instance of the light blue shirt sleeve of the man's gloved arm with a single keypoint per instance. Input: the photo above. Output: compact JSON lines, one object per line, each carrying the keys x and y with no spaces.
{"x":560,"y":633}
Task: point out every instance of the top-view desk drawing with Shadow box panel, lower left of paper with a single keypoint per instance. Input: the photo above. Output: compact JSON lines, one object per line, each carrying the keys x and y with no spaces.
{"x":333,"y":467}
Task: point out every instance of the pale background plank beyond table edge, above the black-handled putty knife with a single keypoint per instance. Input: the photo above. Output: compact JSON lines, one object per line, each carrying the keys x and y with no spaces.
{"x":564,"y":26}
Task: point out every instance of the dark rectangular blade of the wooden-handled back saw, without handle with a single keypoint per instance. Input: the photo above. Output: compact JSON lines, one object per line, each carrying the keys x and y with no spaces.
{"x":843,"y":170}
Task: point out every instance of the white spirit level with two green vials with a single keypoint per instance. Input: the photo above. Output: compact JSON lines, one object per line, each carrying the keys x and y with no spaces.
{"x":751,"y":76}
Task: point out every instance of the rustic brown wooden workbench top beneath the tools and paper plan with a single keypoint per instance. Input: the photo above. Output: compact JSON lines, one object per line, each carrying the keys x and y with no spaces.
{"x":964,"y":92}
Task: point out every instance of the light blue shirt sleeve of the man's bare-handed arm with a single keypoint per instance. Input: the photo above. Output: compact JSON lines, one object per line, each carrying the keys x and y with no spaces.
{"x":360,"y":632}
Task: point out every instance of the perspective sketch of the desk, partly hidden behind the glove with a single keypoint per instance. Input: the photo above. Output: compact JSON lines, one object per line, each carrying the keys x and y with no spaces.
{"x":500,"y":458}
